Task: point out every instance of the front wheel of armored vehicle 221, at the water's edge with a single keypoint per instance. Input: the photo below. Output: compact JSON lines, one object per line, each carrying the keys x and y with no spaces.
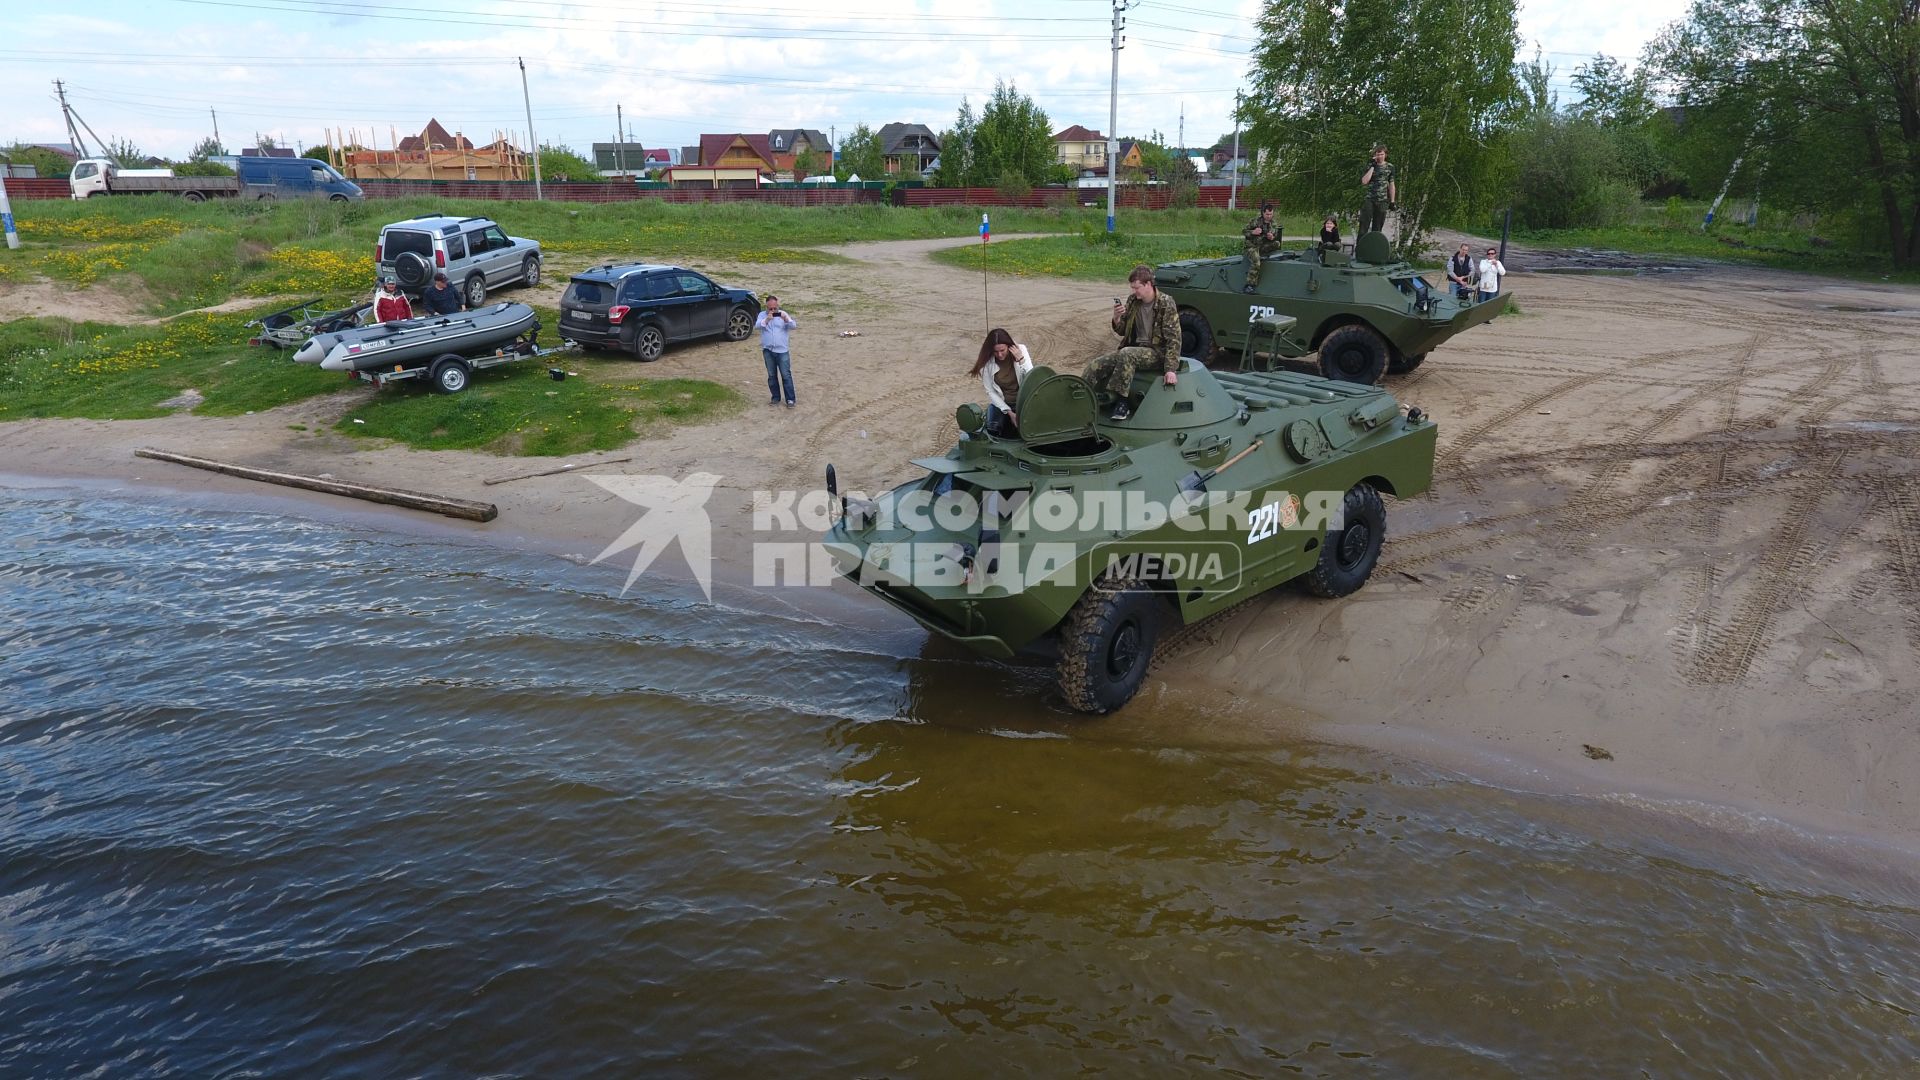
{"x":1107,"y":643}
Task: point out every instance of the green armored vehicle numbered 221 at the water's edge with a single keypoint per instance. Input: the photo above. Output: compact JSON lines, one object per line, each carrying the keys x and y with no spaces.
{"x":1084,"y":539}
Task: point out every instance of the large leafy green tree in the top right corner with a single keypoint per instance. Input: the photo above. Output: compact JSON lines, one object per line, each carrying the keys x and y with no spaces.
{"x":1819,"y":97}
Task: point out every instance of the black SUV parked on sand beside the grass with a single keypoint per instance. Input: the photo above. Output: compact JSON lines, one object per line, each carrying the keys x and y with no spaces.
{"x":642,"y":308}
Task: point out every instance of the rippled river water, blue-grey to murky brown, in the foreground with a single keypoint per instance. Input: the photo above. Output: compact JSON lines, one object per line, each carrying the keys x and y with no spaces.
{"x":293,"y":798}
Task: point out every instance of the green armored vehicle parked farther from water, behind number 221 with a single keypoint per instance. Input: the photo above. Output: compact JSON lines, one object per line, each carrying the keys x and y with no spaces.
{"x":1364,"y":314}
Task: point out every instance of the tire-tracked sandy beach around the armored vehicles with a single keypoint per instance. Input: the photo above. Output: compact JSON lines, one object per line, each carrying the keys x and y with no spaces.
{"x":1673,"y":549}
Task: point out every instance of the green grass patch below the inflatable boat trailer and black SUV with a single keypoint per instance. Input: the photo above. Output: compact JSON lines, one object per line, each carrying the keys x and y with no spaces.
{"x":519,"y":410}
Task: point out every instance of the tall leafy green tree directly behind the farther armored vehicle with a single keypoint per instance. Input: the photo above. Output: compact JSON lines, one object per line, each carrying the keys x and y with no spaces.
{"x":1433,"y":80}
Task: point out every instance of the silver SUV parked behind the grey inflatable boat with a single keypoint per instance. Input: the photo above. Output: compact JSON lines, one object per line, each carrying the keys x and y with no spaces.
{"x":473,"y":253}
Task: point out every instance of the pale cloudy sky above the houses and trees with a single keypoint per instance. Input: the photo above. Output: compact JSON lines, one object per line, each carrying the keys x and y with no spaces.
{"x":153,"y":70}
